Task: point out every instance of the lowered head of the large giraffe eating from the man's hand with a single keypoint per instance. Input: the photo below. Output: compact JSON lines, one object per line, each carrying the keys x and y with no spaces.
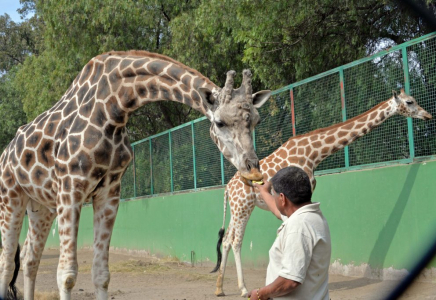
{"x":233,"y":115}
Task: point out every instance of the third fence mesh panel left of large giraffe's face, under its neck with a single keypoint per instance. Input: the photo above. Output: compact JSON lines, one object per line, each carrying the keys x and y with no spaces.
{"x":161,"y":164}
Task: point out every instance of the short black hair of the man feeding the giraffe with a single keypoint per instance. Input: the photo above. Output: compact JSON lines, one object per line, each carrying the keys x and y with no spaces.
{"x":294,"y":183}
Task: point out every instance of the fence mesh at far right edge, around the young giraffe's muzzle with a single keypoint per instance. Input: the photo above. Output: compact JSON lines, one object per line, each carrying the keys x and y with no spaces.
{"x":422,"y":74}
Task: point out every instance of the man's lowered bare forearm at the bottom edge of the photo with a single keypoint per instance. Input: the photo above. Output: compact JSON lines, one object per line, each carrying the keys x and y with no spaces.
{"x":279,"y":287}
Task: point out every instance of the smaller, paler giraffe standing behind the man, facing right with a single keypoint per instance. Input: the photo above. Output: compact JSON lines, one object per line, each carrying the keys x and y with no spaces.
{"x":306,"y":151}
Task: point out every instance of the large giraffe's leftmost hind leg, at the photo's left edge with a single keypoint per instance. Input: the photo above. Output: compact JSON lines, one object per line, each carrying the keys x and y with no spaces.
{"x":11,"y":220}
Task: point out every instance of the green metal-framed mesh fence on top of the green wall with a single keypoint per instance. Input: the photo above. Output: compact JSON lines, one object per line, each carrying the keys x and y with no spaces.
{"x":185,"y":158}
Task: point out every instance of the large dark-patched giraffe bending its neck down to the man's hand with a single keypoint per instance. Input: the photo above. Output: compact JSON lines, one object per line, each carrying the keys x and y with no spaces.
{"x":79,"y":149}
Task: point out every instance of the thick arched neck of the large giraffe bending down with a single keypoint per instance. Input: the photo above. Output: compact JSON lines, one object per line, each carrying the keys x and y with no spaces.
{"x":125,"y":81}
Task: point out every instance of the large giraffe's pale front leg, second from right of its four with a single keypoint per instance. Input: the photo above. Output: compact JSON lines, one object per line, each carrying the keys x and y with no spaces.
{"x":68,"y":211}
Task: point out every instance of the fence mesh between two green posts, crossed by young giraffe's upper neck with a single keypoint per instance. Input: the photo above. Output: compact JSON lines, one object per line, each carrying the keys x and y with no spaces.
{"x":367,"y":85}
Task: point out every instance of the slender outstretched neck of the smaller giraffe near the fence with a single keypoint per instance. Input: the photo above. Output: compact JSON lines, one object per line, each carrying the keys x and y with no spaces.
{"x":327,"y":141}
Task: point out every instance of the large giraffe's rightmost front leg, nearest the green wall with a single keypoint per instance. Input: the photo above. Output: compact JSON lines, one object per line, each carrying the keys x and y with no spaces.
{"x":105,"y":205}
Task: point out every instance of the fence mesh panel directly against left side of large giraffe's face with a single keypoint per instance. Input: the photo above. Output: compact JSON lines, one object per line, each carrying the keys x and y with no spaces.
{"x":207,"y":156}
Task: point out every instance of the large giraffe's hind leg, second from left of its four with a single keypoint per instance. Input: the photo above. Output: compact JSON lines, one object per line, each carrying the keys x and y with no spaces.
{"x":39,"y":228}
